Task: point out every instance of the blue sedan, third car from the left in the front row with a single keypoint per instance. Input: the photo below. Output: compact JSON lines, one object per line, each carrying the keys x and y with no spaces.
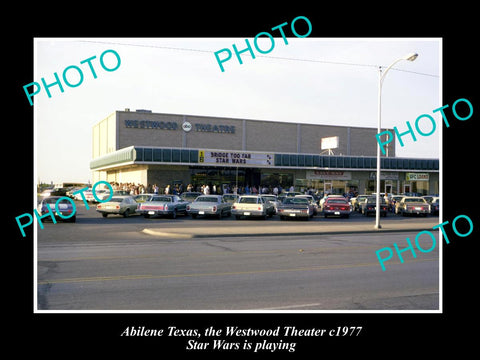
{"x":156,"y":205}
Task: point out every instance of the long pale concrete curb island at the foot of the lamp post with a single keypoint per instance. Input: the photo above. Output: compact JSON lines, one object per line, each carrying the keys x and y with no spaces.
{"x":296,"y":228}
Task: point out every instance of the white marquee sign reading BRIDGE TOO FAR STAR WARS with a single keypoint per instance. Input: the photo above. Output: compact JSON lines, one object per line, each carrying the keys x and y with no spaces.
{"x":234,"y":158}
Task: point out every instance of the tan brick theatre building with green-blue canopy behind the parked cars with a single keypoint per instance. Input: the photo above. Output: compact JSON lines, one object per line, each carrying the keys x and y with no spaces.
{"x":142,"y":147}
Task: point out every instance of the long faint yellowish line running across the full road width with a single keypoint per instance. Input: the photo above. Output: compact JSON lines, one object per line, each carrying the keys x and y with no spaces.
{"x":250,"y":272}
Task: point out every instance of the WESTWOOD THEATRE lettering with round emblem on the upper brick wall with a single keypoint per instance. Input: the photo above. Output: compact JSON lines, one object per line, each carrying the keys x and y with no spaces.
{"x":185,"y":126}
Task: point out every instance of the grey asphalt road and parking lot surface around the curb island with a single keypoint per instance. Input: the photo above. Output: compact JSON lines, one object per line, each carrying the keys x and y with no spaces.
{"x":111,"y":264}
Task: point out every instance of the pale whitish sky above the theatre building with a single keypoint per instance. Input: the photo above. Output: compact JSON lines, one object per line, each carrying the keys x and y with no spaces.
{"x":328,"y":81}
